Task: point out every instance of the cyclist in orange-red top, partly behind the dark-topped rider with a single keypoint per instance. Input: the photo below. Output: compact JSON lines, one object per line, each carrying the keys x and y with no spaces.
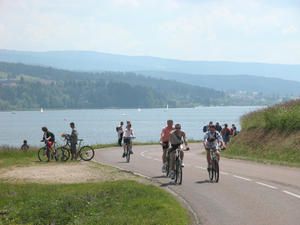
{"x":164,"y":140}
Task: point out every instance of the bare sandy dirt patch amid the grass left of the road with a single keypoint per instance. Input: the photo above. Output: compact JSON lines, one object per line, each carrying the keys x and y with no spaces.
{"x":78,"y":172}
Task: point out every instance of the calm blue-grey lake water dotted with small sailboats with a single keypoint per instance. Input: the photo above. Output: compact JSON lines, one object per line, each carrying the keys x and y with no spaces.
{"x":98,"y":126}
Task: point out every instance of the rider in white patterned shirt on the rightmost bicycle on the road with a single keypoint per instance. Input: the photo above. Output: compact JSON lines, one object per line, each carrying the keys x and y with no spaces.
{"x":212,"y":140}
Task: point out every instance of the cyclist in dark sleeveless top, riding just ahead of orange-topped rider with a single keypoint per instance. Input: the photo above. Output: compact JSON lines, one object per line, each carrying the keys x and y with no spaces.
{"x":177,"y":137}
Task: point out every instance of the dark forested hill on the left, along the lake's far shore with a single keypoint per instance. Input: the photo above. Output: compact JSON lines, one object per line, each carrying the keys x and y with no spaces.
{"x":30,"y":87}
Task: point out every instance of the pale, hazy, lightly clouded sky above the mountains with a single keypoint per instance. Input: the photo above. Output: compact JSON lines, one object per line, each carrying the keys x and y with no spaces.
{"x":210,"y":30}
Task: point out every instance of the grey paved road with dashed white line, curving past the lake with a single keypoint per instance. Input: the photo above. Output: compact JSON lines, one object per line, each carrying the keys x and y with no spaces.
{"x":247,"y":193}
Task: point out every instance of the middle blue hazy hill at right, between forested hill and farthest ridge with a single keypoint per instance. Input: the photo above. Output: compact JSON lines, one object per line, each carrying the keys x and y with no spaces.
{"x":268,"y":86}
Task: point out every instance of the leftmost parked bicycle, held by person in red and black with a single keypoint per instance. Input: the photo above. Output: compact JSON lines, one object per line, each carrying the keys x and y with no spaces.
{"x":45,"y":154}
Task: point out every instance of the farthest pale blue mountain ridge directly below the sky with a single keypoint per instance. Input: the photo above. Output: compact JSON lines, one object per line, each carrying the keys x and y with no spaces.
{"x":95,"y":61}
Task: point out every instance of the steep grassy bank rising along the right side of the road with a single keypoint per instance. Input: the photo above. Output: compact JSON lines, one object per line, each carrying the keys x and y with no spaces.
{"x":270,"y":135}
